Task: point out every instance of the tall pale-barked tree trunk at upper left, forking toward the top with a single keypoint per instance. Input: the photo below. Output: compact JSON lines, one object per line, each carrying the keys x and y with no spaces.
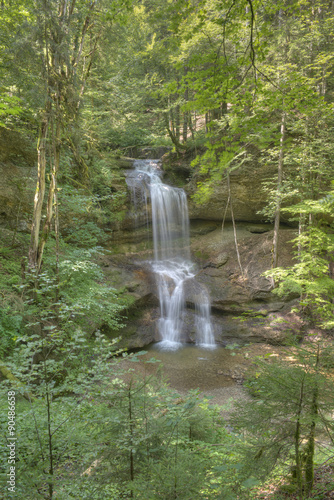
{"x":59,"y":74}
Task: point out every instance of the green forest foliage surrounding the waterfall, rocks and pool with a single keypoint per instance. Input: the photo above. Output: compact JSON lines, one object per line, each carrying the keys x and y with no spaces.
{"x":224,"y":83}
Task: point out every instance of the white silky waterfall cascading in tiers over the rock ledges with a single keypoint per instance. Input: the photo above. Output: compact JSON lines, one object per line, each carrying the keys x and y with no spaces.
{"x":172,"y":264}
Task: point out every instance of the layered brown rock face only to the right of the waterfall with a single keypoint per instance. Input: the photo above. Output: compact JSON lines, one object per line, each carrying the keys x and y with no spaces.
{"x":243,"y":306}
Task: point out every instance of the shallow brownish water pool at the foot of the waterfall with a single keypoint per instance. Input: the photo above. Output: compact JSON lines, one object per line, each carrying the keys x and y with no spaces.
{"x":217,"y":373}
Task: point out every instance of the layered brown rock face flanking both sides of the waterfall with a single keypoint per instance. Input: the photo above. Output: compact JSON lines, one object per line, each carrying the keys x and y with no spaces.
{"x":243,"y":307}
